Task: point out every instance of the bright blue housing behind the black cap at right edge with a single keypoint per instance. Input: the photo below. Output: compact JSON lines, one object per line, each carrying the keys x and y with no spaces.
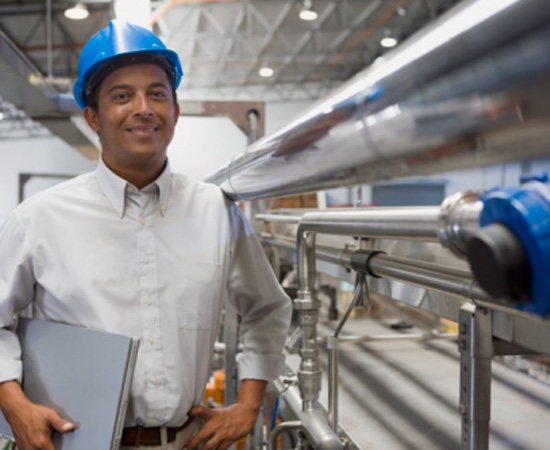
{"x":525,"y":210}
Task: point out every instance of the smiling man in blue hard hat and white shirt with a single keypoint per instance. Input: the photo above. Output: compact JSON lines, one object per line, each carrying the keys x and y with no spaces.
{"x":134,"y":249}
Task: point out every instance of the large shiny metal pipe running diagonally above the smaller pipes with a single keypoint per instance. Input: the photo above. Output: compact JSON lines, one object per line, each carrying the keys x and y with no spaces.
{"x":449,"y":82}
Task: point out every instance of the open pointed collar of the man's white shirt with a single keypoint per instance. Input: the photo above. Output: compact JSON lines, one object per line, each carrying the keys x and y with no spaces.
{"x":114,"y":187}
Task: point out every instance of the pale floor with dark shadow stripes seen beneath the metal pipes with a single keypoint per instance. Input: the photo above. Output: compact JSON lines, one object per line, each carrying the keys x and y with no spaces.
{"x":404,"y":395}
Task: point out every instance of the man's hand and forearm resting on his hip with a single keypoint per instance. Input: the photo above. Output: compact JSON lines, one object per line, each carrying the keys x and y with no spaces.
{"x":226,"y":425}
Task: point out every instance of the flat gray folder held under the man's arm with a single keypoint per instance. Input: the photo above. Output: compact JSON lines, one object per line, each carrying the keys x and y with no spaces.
{"x":85,"y":375}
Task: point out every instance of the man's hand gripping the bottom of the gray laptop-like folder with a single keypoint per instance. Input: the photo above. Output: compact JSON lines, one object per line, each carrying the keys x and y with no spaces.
{"x":32,"y":424}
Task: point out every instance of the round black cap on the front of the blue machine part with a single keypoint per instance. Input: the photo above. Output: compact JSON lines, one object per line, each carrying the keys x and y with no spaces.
{"x":499,"y":263}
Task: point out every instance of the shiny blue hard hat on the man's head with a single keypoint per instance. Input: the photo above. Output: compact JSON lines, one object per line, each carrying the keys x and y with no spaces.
{"x":121,"y":42}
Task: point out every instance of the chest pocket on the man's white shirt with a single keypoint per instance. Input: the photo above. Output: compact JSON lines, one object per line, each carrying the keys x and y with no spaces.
{"x":199,"y":295}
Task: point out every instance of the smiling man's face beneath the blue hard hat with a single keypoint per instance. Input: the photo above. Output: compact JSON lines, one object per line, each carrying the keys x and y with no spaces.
{"x":135,"y":118}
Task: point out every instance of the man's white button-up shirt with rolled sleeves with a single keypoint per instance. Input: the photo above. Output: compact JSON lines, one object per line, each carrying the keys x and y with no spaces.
{"x":157,"y":264}
